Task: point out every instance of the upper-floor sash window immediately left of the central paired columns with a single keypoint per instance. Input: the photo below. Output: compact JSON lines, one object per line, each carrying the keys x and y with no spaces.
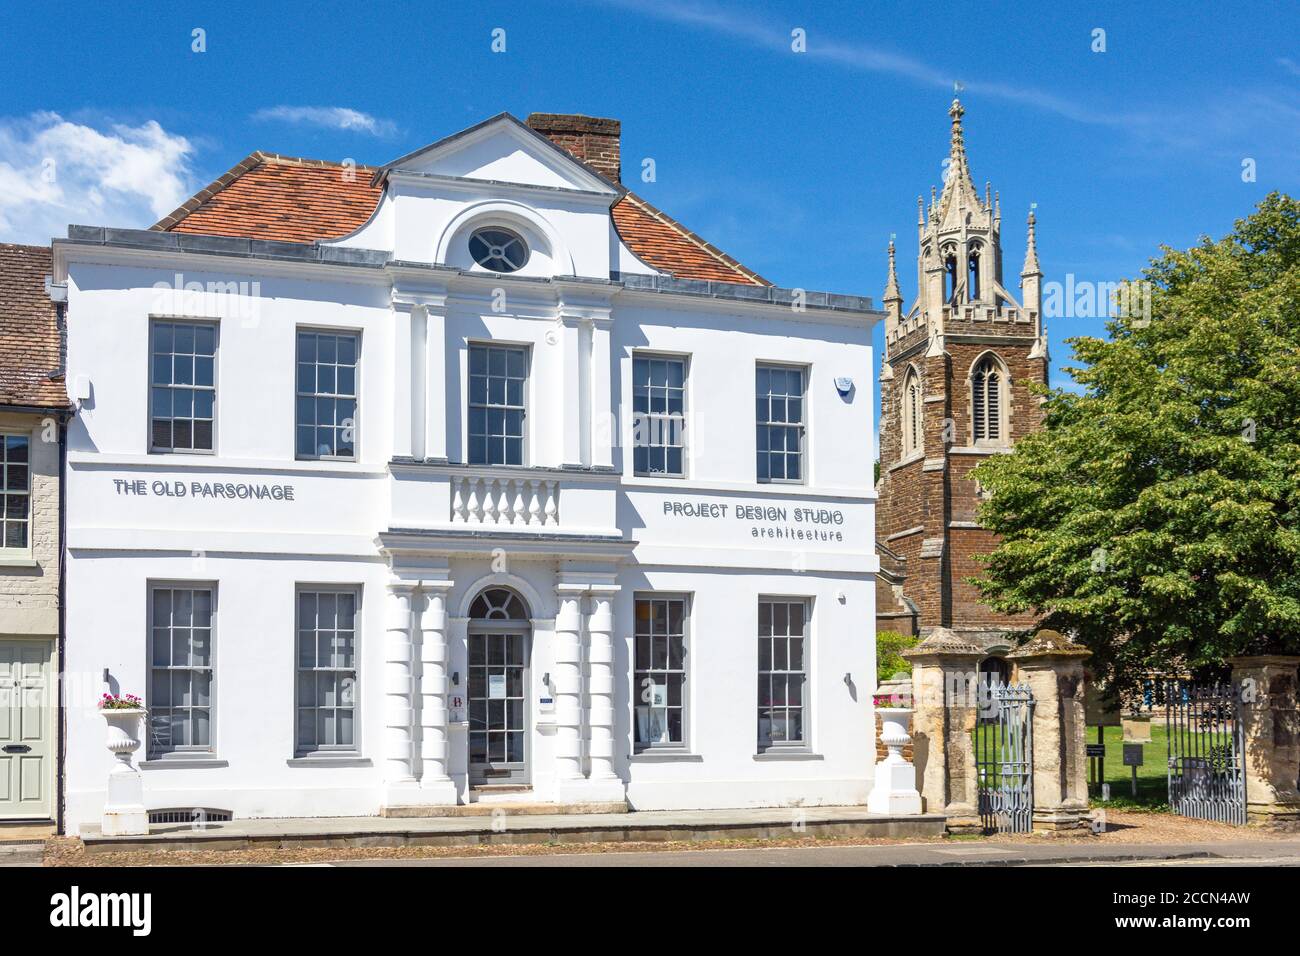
{"x":326,"y":416}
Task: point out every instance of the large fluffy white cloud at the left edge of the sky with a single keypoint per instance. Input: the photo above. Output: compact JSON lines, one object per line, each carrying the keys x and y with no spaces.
{"x":55,"y":172}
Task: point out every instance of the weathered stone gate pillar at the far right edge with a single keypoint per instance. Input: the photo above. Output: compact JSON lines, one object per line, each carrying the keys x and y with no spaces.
{"x":1271,"y":732}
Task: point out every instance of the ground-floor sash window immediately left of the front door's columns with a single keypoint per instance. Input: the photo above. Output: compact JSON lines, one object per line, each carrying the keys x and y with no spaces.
{"x":327,"y":671}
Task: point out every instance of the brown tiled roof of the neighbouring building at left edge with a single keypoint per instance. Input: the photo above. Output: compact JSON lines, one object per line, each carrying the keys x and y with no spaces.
{"x":29,"y":331}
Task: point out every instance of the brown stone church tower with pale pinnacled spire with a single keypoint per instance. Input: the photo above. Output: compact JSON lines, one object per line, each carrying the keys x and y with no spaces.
{"x":954,"y":391}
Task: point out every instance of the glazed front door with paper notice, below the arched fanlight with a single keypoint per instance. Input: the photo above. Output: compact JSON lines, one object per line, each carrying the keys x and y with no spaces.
{"x":497,"y":715}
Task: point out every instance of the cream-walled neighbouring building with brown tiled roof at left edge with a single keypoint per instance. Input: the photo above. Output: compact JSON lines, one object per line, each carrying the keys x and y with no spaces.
{"x":33,"y":412}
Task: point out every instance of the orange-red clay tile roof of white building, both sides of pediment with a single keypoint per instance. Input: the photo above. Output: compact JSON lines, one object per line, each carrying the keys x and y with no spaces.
{"x":271,"y":197}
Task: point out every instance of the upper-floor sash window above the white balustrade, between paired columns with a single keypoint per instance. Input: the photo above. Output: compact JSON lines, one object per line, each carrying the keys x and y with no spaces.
{"x":497,"y":405}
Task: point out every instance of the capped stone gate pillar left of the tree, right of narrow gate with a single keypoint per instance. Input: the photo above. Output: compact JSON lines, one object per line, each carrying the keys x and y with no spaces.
{"x":1052,"y":667}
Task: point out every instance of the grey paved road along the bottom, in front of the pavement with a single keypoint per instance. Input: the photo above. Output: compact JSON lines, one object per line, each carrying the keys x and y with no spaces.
{"x":1238,"y":854}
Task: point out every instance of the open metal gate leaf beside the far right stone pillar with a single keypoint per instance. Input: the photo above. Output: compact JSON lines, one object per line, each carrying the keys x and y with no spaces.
{"x":1207,"y":758}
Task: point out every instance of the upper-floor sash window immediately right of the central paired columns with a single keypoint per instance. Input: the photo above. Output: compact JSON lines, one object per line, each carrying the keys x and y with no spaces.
{"x":660,"y":416}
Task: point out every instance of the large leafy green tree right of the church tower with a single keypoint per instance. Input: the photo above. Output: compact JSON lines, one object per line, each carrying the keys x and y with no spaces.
{"x":1158,"y":514}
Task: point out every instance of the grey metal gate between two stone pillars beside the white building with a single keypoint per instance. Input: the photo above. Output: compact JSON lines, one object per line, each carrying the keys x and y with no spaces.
{"x":1004,"y":758}
